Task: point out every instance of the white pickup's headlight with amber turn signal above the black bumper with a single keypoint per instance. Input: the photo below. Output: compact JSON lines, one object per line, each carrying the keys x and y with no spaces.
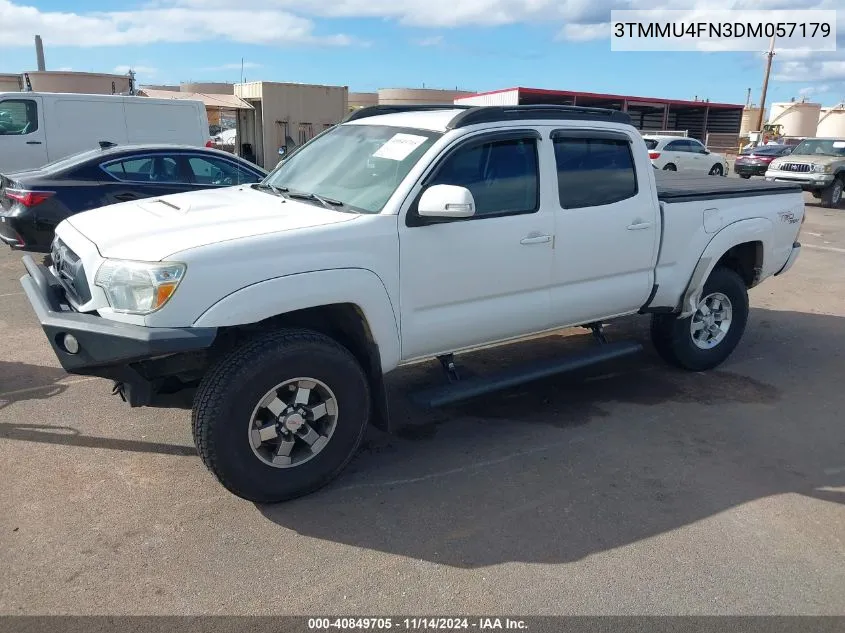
{"x":138,"y":287}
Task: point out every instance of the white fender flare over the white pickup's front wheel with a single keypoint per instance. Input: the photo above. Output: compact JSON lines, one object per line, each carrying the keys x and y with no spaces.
{"x":280,"y":295}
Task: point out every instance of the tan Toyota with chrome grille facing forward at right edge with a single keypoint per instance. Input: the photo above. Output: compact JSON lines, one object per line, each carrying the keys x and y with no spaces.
{"x":817,"y":165}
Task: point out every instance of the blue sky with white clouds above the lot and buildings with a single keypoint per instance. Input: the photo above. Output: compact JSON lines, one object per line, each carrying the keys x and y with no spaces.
{"x":475,"y":45}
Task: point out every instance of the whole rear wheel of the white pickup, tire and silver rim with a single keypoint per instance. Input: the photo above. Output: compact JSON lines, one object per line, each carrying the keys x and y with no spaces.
{"x":705,"y":339}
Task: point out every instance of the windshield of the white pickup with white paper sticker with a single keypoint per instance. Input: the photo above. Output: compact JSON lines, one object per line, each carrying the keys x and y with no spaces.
{"x":358,"y":165}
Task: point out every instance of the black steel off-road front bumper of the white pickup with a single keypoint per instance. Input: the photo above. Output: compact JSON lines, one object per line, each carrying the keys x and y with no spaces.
{"x":90,"y":345}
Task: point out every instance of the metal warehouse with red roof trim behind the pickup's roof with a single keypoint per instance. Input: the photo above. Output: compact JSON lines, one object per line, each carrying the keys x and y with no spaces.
{"x":697,"y":118}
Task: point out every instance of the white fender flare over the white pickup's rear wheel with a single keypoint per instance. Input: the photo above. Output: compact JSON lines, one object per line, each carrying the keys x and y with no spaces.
{"x":740,"y":232}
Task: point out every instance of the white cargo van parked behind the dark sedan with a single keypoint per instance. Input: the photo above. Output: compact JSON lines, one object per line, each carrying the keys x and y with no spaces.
{"x":37,"y":128}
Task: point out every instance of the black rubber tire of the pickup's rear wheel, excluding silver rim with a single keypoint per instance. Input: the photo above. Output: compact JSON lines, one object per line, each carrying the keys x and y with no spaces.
{"x":672,"y":337}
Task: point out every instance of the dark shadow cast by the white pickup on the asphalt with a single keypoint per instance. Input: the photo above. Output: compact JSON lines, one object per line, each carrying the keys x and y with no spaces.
{"x":561,"y":469}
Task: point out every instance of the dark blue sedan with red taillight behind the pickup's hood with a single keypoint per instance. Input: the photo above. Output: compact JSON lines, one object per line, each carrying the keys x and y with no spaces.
{"x":32,"y":203}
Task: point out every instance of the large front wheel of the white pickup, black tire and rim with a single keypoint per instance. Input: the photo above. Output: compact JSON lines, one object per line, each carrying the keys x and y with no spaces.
{"x":281,"y":415}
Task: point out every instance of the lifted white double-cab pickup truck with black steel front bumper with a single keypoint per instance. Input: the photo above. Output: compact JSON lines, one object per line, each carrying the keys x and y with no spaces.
{"x":399,"y":235}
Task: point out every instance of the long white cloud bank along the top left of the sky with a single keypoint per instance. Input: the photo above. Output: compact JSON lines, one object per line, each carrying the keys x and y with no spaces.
{"x":19,"y":23}
